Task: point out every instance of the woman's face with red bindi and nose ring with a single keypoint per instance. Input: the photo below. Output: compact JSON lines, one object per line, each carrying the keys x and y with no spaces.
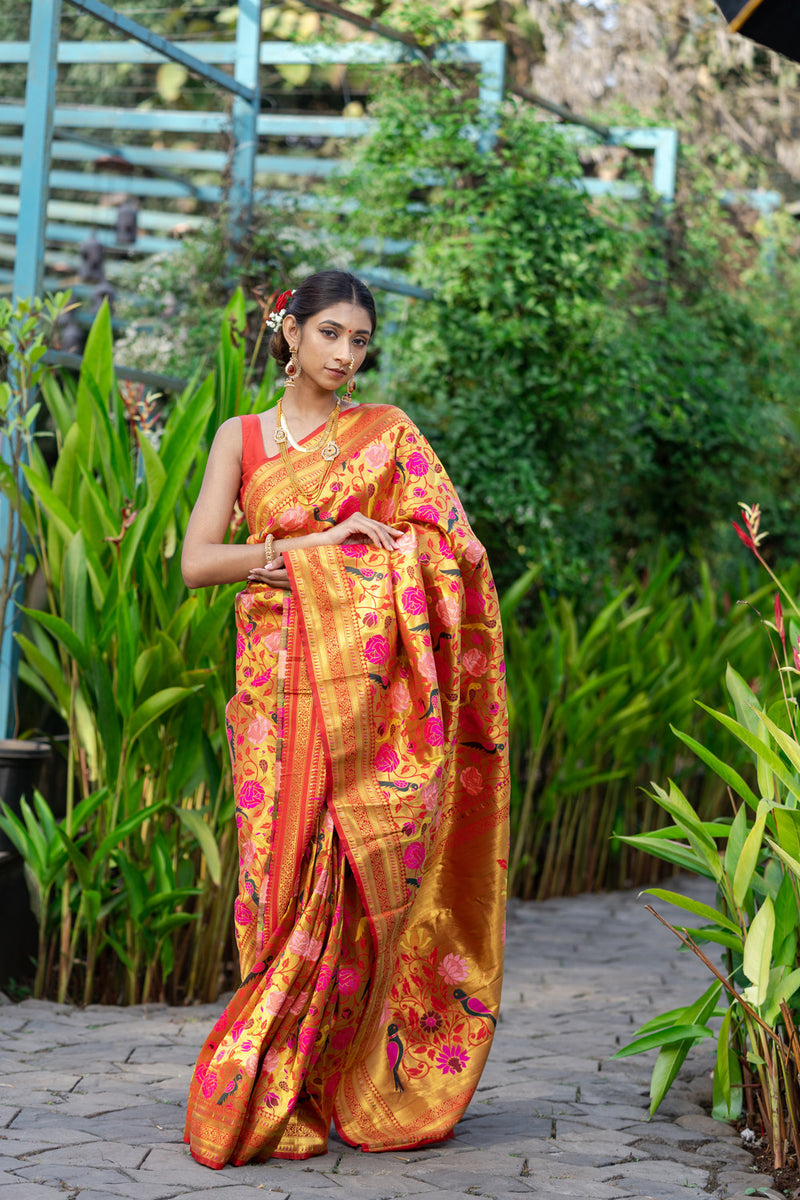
{"x":333,"y":345}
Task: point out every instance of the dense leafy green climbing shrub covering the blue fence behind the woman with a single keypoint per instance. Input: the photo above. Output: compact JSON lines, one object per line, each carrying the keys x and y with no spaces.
{"x":594,"y":374}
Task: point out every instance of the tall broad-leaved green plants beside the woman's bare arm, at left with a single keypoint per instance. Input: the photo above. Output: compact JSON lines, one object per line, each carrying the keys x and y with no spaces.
{"x":134,"y":887}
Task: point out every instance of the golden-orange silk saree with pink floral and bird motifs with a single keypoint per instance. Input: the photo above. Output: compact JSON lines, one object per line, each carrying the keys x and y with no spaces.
{"x":369,"y":742}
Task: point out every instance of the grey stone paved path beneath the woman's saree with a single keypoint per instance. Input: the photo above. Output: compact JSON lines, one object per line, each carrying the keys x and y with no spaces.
{"x":92,"y":1102}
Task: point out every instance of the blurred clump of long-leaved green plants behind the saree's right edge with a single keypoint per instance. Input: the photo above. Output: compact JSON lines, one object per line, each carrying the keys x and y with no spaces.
{"x":590,"y":698}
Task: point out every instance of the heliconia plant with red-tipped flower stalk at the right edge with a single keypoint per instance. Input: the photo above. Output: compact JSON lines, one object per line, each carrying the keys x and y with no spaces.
{"x":754,"y":860}
